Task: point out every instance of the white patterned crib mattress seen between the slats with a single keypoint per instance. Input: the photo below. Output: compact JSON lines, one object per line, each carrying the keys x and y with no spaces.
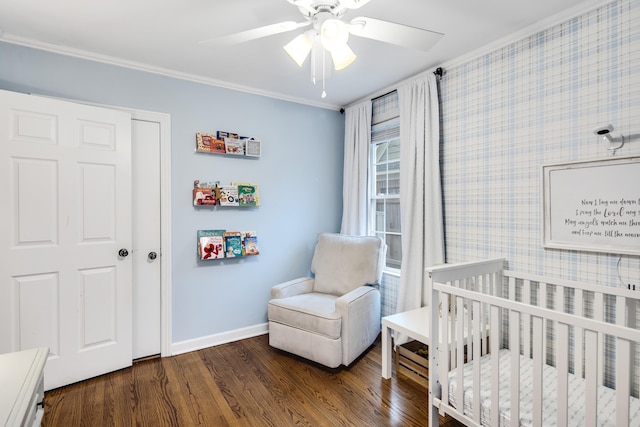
{"x":606,"y":396}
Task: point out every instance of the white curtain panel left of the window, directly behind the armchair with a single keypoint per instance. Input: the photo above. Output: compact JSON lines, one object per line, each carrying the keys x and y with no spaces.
{"x":357,"y":139}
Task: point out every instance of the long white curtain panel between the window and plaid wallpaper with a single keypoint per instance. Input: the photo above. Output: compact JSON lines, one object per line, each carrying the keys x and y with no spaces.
{"x":420,"y":189}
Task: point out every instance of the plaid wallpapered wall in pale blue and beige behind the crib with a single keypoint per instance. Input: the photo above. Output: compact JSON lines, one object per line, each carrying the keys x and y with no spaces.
{"x":530,"y":103}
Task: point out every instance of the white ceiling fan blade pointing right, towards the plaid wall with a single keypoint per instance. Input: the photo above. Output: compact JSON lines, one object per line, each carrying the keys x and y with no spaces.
{"x":389,"y":32}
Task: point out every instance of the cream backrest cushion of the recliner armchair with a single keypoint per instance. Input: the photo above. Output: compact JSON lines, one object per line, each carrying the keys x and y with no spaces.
{"x":342,"y":263}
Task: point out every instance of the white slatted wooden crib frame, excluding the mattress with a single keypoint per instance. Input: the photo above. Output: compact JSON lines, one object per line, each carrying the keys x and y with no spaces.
{"x":549,"y":314}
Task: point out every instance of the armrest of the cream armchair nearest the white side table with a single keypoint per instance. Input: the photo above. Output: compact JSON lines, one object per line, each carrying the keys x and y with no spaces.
{"x":360,"y":312}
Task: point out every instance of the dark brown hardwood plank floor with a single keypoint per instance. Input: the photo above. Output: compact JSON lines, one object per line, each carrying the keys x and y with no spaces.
{"x":245,"y":383}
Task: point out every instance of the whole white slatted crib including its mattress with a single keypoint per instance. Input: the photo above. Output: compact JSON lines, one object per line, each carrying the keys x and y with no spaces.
{"x":551,"y":345}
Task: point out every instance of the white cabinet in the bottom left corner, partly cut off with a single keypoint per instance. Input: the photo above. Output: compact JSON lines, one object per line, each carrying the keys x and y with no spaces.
{"x":22,"y":390}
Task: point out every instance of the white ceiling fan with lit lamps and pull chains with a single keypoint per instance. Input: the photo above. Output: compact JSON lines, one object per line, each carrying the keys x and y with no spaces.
{"x":329,"y":33}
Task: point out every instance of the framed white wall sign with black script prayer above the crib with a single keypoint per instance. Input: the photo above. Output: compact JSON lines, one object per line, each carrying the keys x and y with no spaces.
{"x":592,"y":205}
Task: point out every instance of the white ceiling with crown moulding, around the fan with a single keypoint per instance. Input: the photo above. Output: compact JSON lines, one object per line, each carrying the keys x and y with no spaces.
{"x":163,"y":35}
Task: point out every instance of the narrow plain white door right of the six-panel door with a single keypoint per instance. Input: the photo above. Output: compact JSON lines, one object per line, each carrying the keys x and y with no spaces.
{"x":146,"y":254}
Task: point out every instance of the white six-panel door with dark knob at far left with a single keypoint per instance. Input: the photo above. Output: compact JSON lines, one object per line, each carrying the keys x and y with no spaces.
{"x":65,"y":212}
